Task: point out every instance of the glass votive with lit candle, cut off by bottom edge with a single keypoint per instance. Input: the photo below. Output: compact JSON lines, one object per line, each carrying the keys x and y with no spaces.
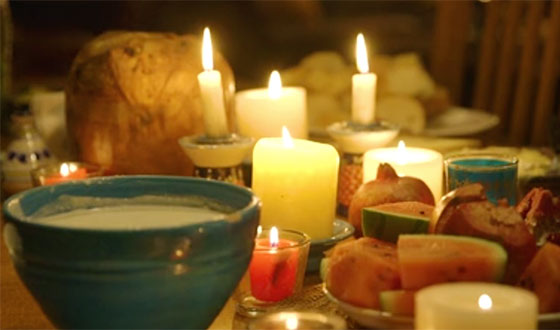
{"x":298,"y":320}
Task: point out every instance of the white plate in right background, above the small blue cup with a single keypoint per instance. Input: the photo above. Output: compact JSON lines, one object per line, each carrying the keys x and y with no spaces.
{"x":459,"y":121}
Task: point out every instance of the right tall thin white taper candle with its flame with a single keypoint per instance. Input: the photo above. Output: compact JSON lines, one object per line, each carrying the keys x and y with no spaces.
{"x":364,"y":85}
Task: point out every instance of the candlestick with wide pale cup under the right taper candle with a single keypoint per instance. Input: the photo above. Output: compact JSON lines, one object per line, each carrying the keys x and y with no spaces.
{"x":353,"y":141}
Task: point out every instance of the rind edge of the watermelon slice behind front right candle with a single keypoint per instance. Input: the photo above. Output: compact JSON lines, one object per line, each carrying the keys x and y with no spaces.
{"x":499,"y":254}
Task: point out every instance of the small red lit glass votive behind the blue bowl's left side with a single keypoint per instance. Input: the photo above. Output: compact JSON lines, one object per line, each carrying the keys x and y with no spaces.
{"x":64,"y":172}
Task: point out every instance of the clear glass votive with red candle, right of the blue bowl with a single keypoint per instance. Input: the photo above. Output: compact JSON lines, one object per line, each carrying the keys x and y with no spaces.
{"x":276,"y":271}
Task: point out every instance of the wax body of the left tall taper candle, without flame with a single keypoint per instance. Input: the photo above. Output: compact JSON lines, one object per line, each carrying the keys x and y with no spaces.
{"x":212,"y":95}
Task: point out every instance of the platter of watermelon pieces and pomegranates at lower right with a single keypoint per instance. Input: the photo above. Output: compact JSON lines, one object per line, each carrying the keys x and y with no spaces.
{"x":411,"y":242}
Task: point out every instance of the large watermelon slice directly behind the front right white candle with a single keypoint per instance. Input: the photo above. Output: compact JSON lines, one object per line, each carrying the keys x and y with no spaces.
{"x":429,"y":259}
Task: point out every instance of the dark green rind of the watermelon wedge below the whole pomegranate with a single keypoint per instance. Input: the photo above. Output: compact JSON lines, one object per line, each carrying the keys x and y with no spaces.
{"x":387,"y":226}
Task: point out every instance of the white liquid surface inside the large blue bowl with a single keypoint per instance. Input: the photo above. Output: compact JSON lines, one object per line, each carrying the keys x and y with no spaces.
{"x":131,"y":217}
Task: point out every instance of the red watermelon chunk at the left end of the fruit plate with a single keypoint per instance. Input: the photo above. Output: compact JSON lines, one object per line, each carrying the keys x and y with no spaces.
{"x":360,"y":269}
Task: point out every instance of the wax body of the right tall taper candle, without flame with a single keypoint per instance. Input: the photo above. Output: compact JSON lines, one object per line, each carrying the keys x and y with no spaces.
{"x":364,"y":86}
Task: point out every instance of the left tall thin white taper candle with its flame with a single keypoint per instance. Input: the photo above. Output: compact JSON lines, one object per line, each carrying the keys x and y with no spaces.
{"x":211,"y":92}
